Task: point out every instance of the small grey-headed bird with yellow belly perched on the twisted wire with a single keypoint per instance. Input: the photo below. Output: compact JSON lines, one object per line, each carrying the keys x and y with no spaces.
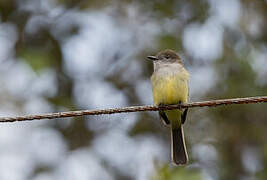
{"x":170,"y":86}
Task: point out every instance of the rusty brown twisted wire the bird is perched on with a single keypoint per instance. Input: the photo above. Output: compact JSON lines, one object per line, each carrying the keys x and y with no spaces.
{"x":211,"y":103}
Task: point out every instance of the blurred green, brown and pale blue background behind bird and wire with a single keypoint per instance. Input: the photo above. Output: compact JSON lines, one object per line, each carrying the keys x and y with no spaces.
{"x":61,"y":55}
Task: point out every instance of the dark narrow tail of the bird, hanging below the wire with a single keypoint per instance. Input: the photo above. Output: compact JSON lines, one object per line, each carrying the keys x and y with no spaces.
{"x":179,"y":154}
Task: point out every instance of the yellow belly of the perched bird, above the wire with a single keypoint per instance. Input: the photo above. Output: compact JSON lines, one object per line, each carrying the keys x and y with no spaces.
{"x":170,"y":89}
